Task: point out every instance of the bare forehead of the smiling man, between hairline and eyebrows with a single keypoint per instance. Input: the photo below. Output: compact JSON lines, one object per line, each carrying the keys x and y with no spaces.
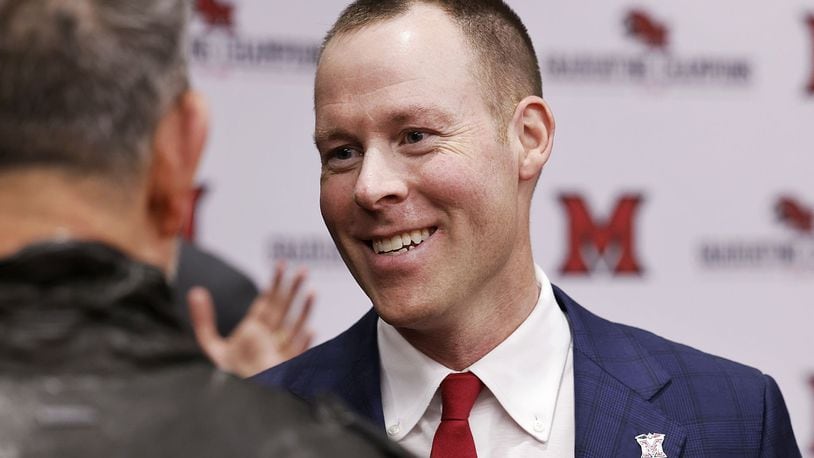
{"x":418,"y":50}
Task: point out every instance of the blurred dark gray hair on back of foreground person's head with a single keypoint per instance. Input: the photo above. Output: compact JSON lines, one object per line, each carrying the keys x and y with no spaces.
{"x":83,"y":83}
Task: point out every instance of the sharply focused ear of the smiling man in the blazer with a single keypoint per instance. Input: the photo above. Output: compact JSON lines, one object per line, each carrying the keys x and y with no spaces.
{"x":533,"y":126}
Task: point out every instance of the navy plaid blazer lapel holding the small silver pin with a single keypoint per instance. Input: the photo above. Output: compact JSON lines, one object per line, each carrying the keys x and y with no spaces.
{"x":615,"y":380}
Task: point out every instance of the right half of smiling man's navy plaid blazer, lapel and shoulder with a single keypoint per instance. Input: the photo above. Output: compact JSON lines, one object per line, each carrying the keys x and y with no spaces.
{"x":628,"y":382}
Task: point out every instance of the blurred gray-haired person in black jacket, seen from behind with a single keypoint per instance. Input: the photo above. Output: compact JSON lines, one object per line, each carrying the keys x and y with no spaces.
{"x":100,"y":137}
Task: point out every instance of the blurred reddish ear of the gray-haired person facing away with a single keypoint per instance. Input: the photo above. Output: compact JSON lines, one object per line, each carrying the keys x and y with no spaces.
{"x":177,"y":147}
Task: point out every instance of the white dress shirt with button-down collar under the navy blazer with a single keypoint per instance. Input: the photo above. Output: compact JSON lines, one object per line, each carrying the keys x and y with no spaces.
{"x":526,"y":407}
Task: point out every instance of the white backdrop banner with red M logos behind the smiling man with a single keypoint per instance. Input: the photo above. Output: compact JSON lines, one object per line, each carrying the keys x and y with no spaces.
{"x":679,"y":197}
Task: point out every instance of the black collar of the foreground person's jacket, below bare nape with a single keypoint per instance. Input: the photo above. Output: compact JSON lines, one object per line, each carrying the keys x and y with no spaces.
{"x":75,"y":306}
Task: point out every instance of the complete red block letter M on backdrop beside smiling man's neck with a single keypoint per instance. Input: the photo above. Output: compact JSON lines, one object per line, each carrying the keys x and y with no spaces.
{"x":612,"y":240}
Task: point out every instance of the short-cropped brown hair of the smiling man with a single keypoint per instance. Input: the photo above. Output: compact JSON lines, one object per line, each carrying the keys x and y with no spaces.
{"x":506,"y":68}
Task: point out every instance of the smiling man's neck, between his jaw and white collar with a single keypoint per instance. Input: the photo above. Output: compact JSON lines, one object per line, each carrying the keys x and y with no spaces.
{"x":483,"y":325}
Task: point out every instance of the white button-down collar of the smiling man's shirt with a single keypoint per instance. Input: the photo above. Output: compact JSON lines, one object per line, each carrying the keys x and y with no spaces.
{"x":523,"y":372}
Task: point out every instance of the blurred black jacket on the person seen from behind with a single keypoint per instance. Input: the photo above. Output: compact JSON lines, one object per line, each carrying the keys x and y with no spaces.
{"x":95,"y":363}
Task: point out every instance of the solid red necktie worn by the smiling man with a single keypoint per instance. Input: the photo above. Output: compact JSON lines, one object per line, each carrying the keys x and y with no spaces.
{"x":453,"y":438}
